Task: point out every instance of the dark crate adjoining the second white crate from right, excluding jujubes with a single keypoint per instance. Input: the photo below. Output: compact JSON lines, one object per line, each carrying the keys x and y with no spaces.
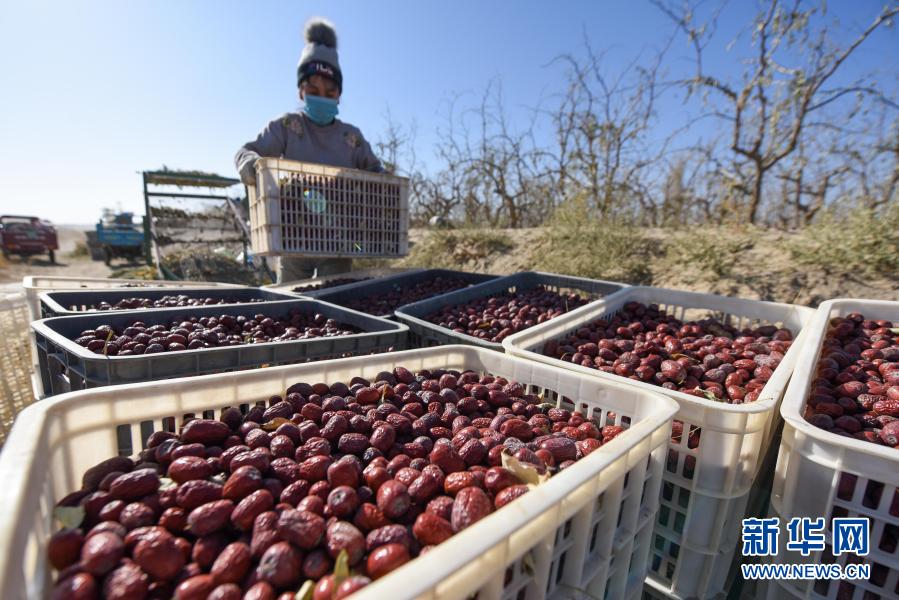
{"x":425,"y":333}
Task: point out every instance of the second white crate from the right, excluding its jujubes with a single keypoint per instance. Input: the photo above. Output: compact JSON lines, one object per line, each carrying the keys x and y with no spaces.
{"x":705,"y":489}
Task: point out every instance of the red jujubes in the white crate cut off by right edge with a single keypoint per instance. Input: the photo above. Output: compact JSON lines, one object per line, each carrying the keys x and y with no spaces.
{"x":856,"y":388}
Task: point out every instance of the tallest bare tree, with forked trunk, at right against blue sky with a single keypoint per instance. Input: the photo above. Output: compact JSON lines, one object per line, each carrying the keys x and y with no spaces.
{"x":788,"y":82}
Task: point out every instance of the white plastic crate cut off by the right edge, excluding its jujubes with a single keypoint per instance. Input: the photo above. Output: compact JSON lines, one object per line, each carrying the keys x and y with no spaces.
{"x":820,"y":474}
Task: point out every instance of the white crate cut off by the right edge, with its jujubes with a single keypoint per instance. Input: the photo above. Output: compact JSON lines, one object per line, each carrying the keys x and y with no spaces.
{"x":835,"y":458}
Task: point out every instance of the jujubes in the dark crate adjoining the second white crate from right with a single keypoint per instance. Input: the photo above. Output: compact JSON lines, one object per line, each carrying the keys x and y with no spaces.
{"x":495,"y":318}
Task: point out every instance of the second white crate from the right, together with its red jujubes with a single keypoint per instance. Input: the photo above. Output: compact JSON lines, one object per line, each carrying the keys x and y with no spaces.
{"x":718,"y":439}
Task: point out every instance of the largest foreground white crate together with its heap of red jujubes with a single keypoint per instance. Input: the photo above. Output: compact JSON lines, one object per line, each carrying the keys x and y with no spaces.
{"x":582,"y":533}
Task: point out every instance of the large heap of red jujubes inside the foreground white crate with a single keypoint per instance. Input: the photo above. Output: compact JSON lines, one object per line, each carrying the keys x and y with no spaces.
{"x":255,"y":505}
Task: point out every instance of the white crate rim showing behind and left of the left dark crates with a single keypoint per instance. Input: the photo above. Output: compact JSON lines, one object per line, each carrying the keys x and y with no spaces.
{"x":34,"y":286}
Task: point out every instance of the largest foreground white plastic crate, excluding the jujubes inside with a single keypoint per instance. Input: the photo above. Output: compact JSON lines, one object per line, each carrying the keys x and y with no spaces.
{"x":587,"y":528}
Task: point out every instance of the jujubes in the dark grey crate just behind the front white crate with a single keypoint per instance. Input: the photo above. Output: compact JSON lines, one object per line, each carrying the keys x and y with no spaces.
{"x":194,"y":333}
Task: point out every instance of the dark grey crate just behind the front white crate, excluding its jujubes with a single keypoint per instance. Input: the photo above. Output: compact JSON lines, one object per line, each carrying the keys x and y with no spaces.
{"x":66,"y":366}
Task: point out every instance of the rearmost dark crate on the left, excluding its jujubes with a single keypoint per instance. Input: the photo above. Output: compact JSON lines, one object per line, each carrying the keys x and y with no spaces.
{"x":58,"y":304}
